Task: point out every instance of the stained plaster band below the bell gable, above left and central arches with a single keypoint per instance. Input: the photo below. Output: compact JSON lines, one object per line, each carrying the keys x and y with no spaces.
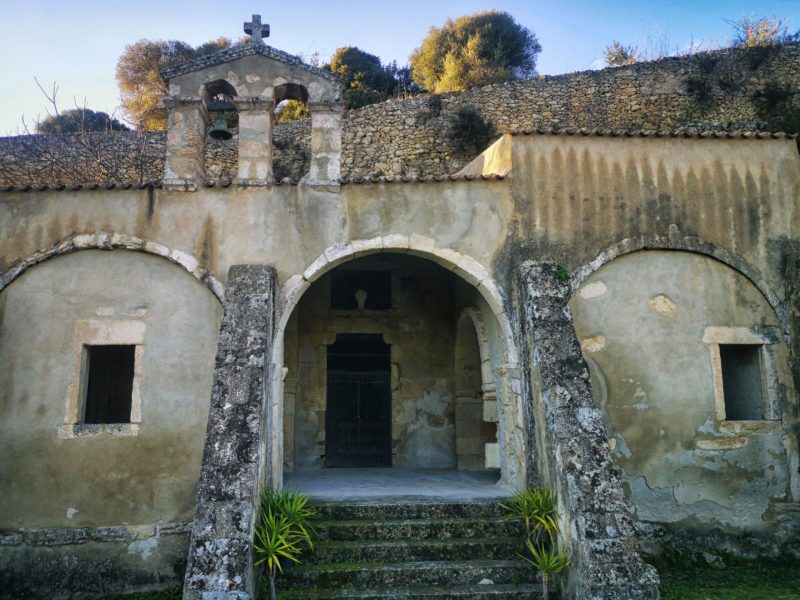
{"x":288,"y":226}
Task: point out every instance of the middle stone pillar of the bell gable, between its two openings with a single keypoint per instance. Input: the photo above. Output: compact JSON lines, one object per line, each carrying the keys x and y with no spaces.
{"x":255,"y":140}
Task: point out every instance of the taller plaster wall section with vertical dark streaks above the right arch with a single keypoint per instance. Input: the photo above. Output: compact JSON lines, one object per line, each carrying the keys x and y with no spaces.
{"x":575,"y":199}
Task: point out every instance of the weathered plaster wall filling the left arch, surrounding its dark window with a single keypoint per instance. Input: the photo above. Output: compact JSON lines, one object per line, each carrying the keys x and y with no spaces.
{"x":126,"y":497}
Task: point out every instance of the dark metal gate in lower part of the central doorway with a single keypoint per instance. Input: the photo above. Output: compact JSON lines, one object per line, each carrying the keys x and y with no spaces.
{"x":358,"y":420}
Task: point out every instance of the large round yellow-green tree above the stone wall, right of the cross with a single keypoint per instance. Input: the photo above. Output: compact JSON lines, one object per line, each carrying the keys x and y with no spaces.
{"x":474,"y":50}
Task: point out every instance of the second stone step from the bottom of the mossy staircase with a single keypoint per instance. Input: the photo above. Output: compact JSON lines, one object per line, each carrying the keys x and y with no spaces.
{"x":403,"y":574}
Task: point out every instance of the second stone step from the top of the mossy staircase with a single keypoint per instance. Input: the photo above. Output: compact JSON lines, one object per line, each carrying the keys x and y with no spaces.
{"x":400,"y":529}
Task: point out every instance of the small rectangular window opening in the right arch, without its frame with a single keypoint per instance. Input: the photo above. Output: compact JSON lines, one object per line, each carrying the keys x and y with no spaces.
{"x":742,"y":381}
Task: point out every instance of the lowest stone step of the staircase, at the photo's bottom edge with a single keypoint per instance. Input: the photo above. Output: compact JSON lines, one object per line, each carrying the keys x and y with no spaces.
{"x":528,"y":591}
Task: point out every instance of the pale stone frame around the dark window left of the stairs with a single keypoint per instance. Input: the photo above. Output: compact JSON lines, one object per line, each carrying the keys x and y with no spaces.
{"x":95,"y":332}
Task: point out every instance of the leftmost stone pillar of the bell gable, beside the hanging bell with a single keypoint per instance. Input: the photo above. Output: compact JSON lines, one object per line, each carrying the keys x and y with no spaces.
{"x":184,"y":166}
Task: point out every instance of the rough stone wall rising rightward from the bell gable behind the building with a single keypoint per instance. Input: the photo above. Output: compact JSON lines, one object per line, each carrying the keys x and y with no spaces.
{"x":708,"y":91}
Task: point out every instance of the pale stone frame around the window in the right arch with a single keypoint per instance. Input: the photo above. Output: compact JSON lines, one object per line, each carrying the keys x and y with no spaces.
{"x":765,"y":338}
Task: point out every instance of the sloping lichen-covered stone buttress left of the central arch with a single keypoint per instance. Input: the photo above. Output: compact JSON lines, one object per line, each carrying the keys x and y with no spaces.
{"x":220,"y":553}
